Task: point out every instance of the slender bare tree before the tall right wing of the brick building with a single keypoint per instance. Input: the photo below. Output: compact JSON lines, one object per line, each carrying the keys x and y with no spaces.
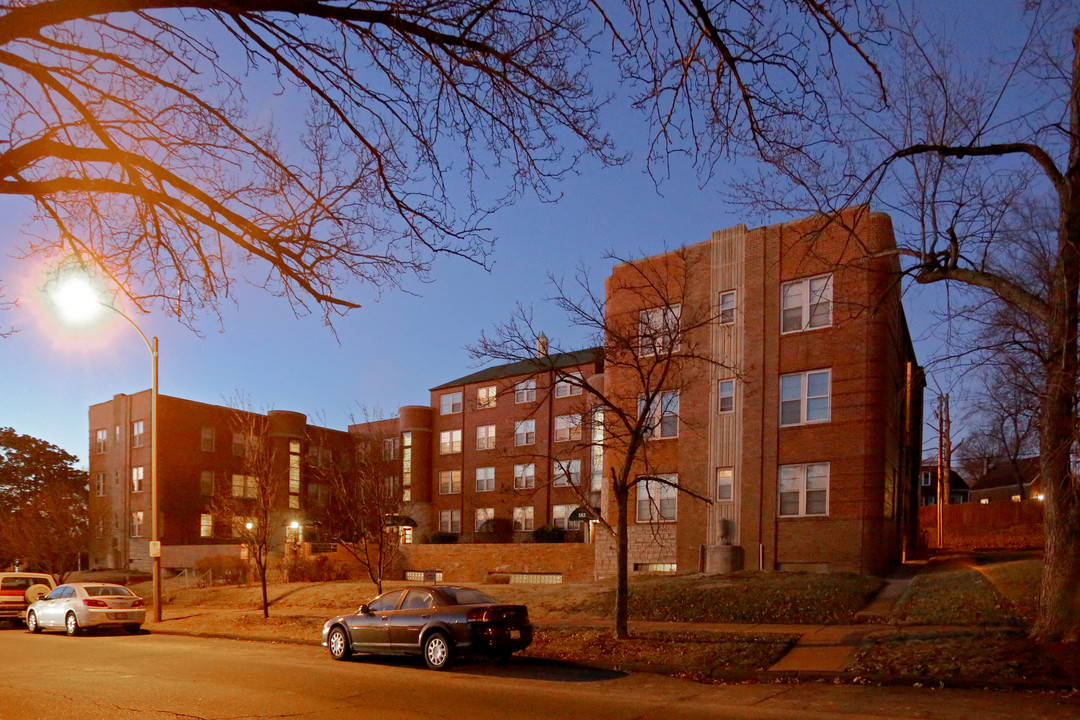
{"x":653,"y":330}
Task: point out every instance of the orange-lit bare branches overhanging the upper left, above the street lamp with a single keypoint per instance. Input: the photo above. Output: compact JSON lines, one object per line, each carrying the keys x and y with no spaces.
{"x":144,"y":132}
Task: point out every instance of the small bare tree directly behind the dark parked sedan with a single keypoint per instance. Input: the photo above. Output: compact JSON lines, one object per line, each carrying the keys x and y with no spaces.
{"x":366,"y":510}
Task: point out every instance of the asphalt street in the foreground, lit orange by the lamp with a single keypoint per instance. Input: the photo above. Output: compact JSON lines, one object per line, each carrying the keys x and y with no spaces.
{"x":118,"y":677}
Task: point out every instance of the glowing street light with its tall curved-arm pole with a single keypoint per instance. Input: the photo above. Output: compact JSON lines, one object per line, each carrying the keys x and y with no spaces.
{"x":79,"y":302}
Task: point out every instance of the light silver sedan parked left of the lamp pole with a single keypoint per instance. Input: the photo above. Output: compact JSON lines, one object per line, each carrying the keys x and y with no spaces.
{"x":75,"y":607}
